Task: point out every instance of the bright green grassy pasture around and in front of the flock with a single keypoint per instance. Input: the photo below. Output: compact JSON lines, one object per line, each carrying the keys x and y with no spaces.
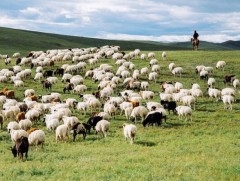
{"x":206,"y":148}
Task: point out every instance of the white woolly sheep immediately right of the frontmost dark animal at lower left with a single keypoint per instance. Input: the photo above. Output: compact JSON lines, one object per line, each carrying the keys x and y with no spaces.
{"x":37,"y":137}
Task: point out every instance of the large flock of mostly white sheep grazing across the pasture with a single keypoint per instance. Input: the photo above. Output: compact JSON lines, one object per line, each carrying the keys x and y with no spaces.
{"x":58,"y":114}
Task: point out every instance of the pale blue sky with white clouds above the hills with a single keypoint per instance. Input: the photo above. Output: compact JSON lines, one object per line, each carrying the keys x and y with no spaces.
{"x":155,"y":20}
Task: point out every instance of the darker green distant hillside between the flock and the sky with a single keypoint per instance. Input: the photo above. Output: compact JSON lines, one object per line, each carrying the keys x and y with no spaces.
{"x":14,"y":40}
